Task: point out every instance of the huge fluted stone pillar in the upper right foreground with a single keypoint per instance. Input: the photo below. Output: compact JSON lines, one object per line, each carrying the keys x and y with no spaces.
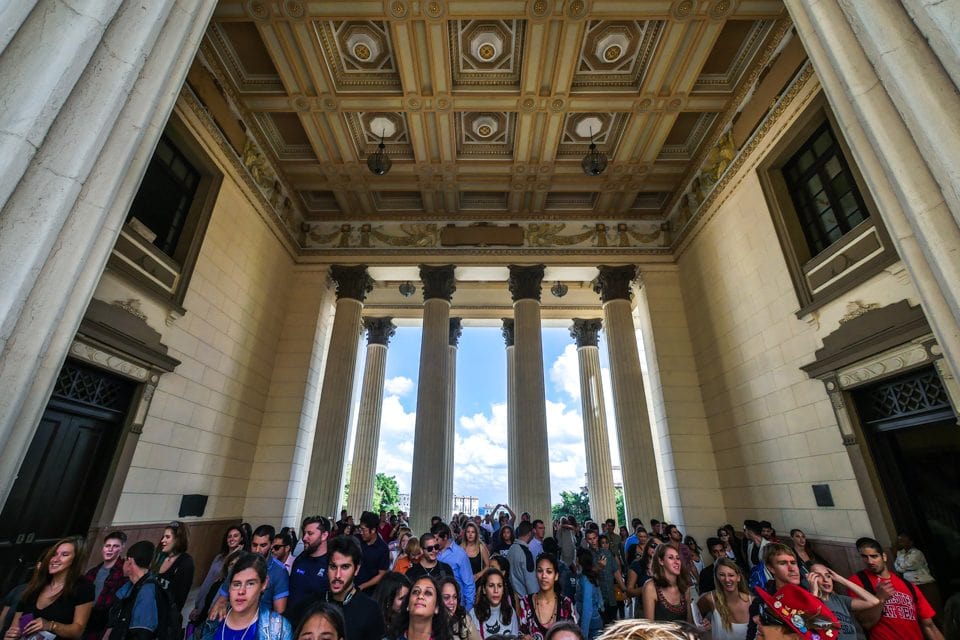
{"x":896,"y":105}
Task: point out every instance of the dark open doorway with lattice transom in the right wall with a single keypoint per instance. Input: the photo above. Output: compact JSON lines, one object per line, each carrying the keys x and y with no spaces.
{"x":914,"y":437}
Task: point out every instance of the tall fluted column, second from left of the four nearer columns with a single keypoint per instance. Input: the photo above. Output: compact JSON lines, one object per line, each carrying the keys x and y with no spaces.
{"x":430,"y":437}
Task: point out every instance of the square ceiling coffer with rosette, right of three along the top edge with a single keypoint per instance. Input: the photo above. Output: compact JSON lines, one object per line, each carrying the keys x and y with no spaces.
{"x":615,"y":56}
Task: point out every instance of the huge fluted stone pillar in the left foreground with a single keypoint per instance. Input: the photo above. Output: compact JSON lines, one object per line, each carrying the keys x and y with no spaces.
{"x":80,"y":124}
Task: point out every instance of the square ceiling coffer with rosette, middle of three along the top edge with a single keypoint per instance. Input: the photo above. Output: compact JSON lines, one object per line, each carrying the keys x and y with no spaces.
{"x":486,"y":54}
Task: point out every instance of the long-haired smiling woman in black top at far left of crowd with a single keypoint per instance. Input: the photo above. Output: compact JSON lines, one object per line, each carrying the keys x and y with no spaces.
{"x":57,"y":599}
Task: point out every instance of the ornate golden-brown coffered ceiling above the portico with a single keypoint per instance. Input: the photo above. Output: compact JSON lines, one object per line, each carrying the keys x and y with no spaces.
{"x":486,"y":108}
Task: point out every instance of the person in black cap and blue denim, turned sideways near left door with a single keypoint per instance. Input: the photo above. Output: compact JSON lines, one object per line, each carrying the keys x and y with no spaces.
{"x":139,"y":610}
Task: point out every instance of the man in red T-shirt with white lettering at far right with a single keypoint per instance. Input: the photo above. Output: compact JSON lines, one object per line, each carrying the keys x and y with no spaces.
{"x":903,"y":613}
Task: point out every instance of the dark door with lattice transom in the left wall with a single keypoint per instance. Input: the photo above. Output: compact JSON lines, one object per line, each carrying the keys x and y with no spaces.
{"x":62,"y":476}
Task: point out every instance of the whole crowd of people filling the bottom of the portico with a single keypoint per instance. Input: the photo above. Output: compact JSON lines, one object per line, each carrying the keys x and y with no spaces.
{"x":473,"y":578}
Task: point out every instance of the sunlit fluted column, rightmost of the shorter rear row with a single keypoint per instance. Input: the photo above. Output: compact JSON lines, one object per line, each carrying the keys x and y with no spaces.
{"x":596,"y":442}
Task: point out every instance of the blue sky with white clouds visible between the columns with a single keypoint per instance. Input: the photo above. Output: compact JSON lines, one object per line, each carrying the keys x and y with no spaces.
{"x":480,"y":456}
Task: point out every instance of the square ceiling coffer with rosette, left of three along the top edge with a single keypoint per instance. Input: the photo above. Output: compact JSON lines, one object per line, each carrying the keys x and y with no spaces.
{"x":359,"y":55}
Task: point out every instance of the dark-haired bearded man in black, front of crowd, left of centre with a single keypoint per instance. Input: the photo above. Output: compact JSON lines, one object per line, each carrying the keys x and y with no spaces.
{"x":361,"y":613}
